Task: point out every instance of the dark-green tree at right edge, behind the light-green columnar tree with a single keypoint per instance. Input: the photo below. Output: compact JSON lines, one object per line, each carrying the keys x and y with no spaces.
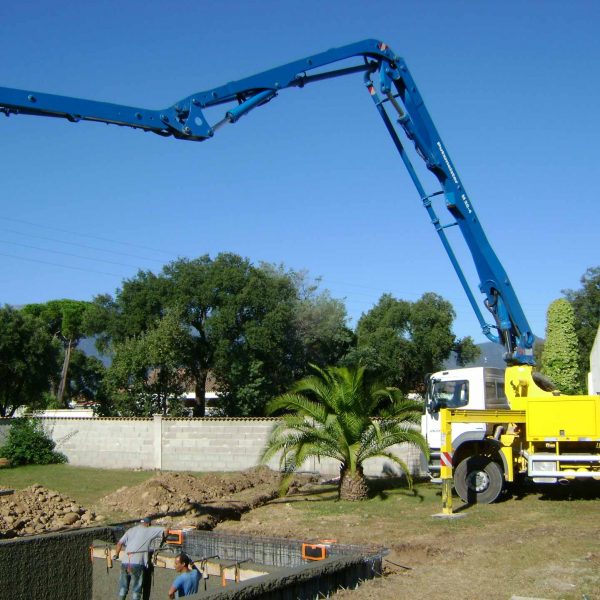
{"x":586,"y":306}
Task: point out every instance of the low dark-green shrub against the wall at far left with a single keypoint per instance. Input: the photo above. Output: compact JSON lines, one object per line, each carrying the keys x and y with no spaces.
{"x":28,"y":444}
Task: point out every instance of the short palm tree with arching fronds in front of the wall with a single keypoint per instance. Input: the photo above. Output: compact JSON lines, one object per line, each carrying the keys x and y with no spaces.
{"x":335,"y":414}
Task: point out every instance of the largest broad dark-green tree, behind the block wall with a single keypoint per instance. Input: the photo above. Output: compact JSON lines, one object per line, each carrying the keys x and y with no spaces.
{"x":239,"y":321}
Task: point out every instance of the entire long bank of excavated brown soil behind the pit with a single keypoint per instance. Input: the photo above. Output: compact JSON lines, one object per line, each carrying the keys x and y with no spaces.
{"x":173,"y":499}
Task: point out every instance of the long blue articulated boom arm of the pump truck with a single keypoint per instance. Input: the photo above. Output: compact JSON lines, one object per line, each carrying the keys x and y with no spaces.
{"x":391,"y":87}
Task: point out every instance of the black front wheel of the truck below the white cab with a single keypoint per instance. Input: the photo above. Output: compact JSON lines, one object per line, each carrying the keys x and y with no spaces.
{"x":478,"y":480}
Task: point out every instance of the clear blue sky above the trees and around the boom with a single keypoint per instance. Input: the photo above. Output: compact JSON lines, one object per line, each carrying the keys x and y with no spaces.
{"x":311,"y":180}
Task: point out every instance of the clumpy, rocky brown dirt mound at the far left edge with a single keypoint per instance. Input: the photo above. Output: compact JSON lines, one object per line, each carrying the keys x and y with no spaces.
{"x":37,"y":509}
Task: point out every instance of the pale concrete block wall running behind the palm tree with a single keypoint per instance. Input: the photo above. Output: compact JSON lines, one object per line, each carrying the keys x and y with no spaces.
{"x":170,"y":444}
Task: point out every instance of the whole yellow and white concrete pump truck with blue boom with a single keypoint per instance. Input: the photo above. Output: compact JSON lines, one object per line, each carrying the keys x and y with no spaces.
{"x":486,"y":426}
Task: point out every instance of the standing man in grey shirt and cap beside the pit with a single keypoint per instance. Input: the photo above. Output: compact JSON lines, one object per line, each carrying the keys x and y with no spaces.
{"x":137,"y":542}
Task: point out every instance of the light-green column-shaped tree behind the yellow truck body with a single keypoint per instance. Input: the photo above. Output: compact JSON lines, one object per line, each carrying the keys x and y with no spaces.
{"x":560,"y":355}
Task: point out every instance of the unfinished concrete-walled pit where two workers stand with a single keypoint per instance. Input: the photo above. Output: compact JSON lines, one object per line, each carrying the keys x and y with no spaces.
{"x":78,"y":565}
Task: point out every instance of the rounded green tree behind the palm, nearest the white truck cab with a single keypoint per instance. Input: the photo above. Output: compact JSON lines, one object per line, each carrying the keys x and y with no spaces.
{"x":399,"y":342}
